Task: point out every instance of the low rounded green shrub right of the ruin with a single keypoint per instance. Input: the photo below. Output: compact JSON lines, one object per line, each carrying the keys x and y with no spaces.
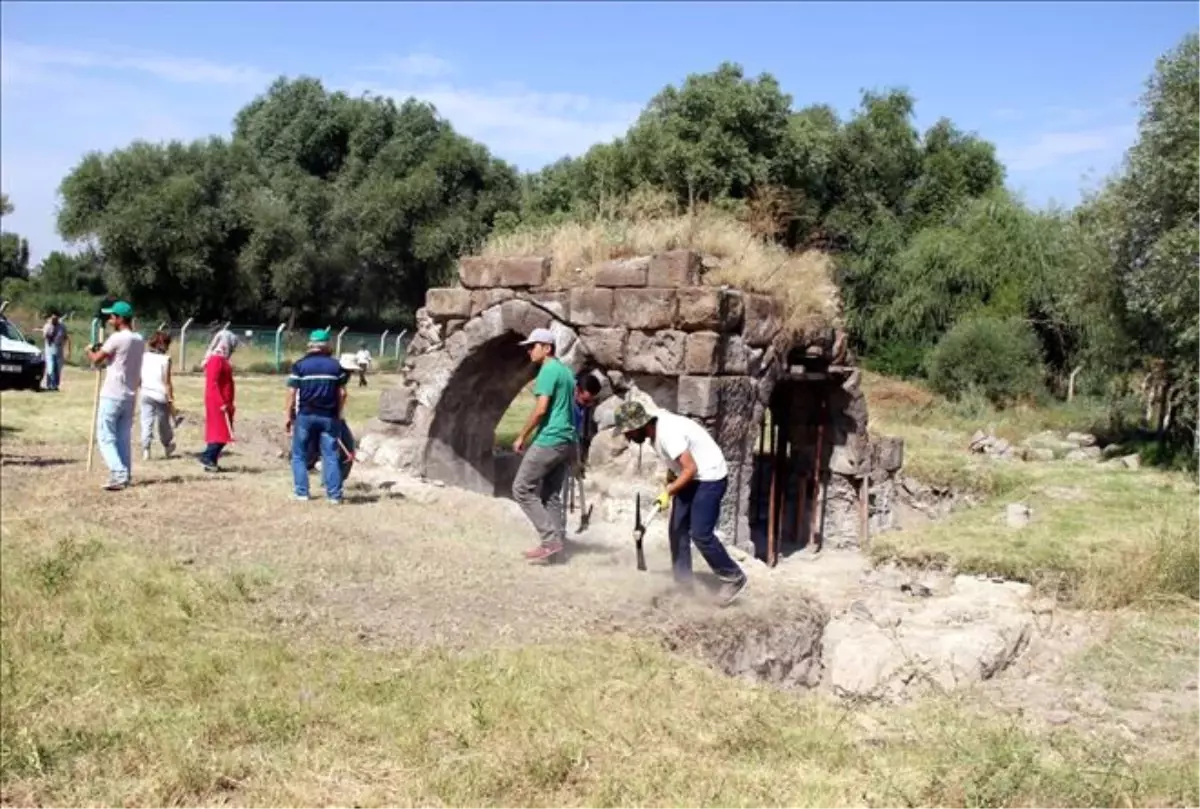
{"x":998,"y":359}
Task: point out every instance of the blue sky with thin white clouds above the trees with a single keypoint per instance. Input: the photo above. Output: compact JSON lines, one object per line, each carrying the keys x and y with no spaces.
{"x":1053,"y":85}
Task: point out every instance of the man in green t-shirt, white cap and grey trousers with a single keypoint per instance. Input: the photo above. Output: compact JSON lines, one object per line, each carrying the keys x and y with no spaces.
{"x":538,"y":488}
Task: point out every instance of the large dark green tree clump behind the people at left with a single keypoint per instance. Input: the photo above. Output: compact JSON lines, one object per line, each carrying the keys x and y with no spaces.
{"x":321,"y":206}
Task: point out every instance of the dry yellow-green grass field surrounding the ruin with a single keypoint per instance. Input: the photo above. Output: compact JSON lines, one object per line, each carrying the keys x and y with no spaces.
{"x":181,"y":645}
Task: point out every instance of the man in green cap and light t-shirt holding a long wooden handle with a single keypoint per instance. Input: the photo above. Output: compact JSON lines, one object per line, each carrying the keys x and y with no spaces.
{"x":115,"y":417}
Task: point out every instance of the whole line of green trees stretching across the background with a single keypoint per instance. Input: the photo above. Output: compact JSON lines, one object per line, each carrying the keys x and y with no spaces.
{"x":327,"y":207}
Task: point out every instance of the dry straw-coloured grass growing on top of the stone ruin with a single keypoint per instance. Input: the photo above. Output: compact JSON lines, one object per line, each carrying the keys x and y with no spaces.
{"x":803,"y":281}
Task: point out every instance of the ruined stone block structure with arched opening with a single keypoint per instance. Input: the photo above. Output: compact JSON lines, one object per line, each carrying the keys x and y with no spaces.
{"x":645,"y":325}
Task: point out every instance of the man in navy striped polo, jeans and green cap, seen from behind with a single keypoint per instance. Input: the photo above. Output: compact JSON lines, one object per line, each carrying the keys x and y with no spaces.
{"x":316,"y":399}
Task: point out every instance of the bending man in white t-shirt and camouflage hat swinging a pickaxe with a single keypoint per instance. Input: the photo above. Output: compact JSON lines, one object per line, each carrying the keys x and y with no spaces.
{"x":700,"y":481}
